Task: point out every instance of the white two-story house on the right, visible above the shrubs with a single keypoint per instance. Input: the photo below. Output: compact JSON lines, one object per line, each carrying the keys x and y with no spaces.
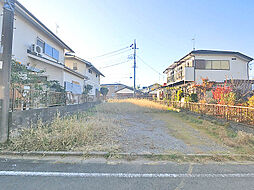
{"x":217,"y":66}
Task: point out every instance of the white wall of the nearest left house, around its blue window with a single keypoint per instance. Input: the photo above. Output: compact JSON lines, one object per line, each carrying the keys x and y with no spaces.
{"x":26,"y":34}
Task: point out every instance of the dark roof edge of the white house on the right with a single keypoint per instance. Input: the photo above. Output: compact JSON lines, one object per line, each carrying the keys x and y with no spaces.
{"x":209,"y":52}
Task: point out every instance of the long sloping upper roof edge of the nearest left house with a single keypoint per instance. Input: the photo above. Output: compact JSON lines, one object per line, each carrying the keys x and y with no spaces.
{"x":35,"y":21}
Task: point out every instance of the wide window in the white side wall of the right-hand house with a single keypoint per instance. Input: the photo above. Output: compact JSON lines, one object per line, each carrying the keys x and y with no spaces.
{"x":212,"y":64}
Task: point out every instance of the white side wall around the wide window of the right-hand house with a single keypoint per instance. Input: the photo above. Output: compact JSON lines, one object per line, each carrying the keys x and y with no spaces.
{"x":238,"y":69}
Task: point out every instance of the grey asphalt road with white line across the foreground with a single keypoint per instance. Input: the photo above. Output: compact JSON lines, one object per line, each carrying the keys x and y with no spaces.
{"x":93,"y":174}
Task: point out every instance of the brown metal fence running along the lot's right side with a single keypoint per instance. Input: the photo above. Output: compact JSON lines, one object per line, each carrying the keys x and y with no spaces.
{"x":232,"y":113}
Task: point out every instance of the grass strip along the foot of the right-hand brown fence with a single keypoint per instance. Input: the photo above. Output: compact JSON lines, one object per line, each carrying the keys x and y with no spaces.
{"x":240,"y":141}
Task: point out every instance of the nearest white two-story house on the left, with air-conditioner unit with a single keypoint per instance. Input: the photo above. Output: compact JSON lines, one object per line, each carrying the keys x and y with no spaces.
{"x":39,"y":48}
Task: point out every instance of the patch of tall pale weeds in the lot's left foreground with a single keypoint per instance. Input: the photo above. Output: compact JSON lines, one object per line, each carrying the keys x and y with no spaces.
{"x":88,"y":131}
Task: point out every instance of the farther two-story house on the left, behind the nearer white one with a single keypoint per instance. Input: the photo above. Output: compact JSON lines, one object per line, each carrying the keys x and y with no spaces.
{"x":92,"y":75}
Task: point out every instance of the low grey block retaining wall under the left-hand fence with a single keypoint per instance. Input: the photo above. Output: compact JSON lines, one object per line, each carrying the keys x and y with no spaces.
{"x":26,"y":117}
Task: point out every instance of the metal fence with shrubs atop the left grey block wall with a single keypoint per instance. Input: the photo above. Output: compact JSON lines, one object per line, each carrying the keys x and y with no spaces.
{"x":23,"y":99}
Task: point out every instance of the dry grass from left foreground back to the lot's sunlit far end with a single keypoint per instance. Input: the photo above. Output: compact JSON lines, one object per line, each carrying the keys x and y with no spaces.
{"x":96,"y":130}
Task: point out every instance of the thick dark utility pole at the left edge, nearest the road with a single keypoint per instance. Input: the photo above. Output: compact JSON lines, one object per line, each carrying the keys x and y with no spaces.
{"x":5,"y":67}
